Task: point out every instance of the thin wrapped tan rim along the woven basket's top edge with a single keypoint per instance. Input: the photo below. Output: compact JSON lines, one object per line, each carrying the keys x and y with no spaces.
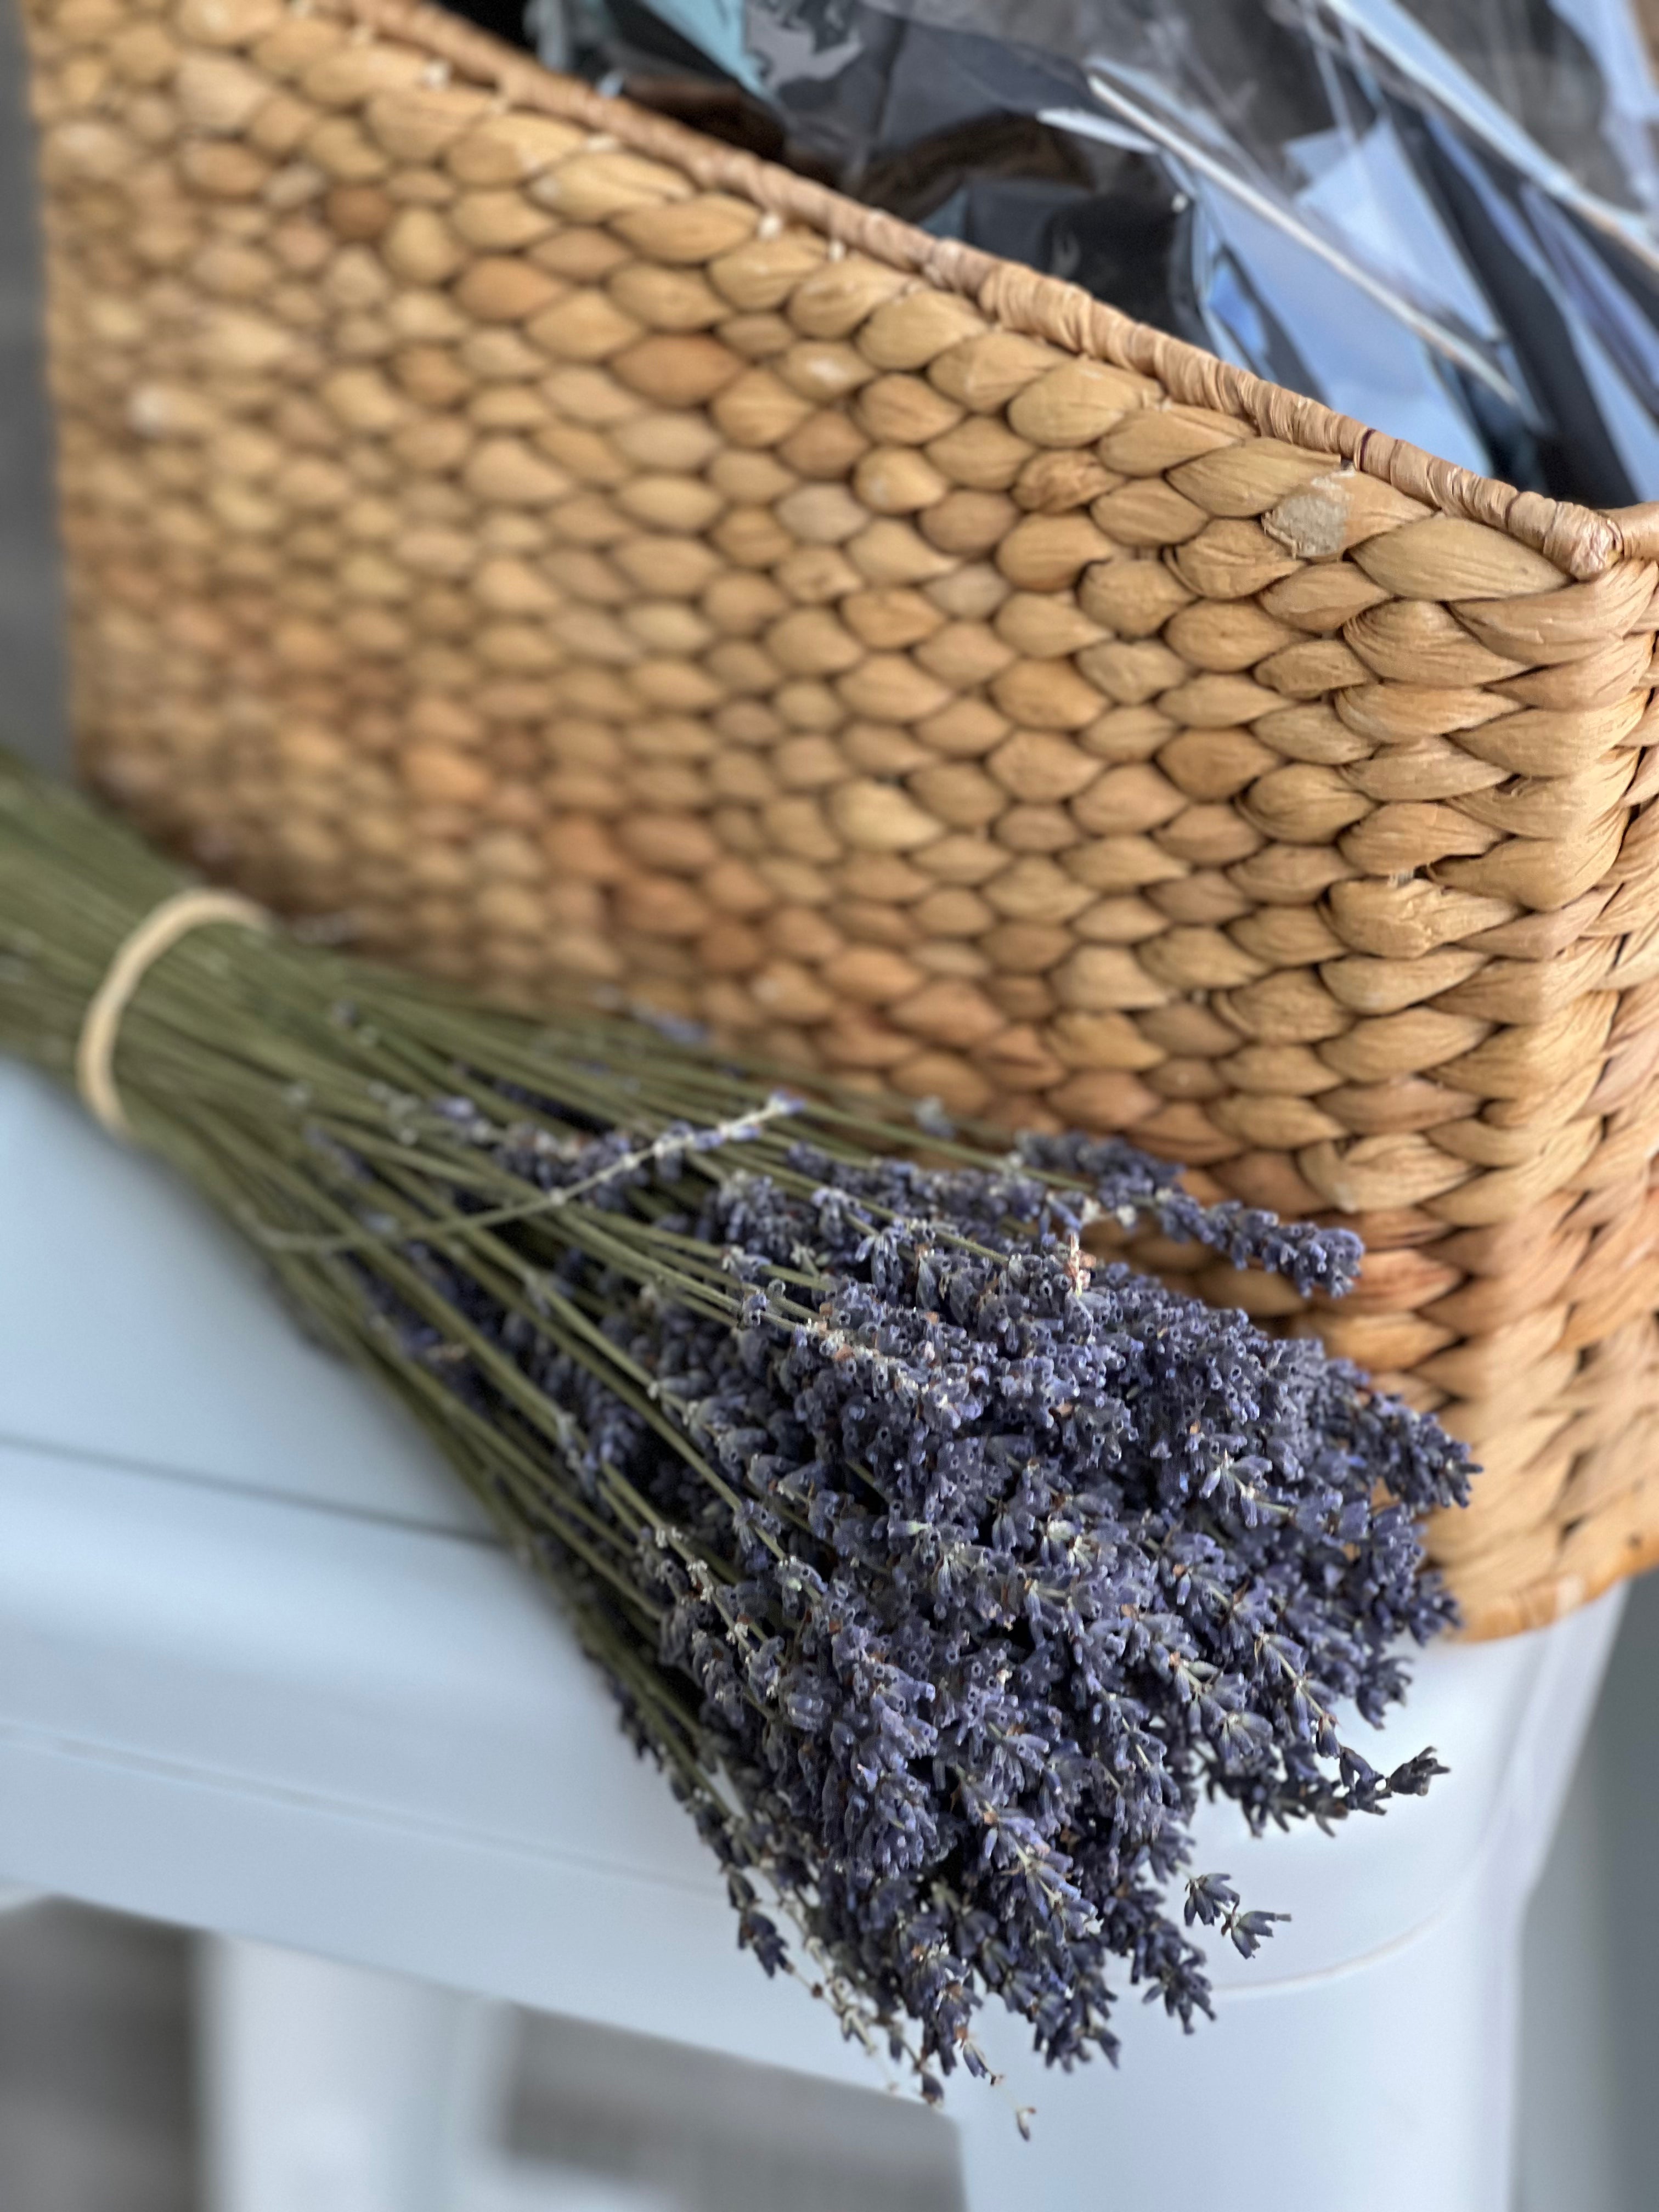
{"x":1580,"y":541}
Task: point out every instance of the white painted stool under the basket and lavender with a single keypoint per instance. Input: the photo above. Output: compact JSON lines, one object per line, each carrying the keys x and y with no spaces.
{"x":264,"y":1673}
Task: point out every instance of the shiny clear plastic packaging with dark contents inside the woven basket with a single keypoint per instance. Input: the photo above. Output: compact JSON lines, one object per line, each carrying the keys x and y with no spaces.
{"x":1437,"y":216}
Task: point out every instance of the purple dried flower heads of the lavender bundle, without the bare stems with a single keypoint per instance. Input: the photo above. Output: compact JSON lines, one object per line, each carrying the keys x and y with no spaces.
{"x":983,"y":1558}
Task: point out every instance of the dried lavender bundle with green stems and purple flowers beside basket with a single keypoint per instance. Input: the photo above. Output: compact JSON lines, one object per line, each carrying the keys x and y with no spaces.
{"x":941,"y":1565}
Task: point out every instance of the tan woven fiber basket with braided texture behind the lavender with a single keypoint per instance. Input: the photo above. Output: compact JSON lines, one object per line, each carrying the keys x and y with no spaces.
{"x":576,"y":550}
